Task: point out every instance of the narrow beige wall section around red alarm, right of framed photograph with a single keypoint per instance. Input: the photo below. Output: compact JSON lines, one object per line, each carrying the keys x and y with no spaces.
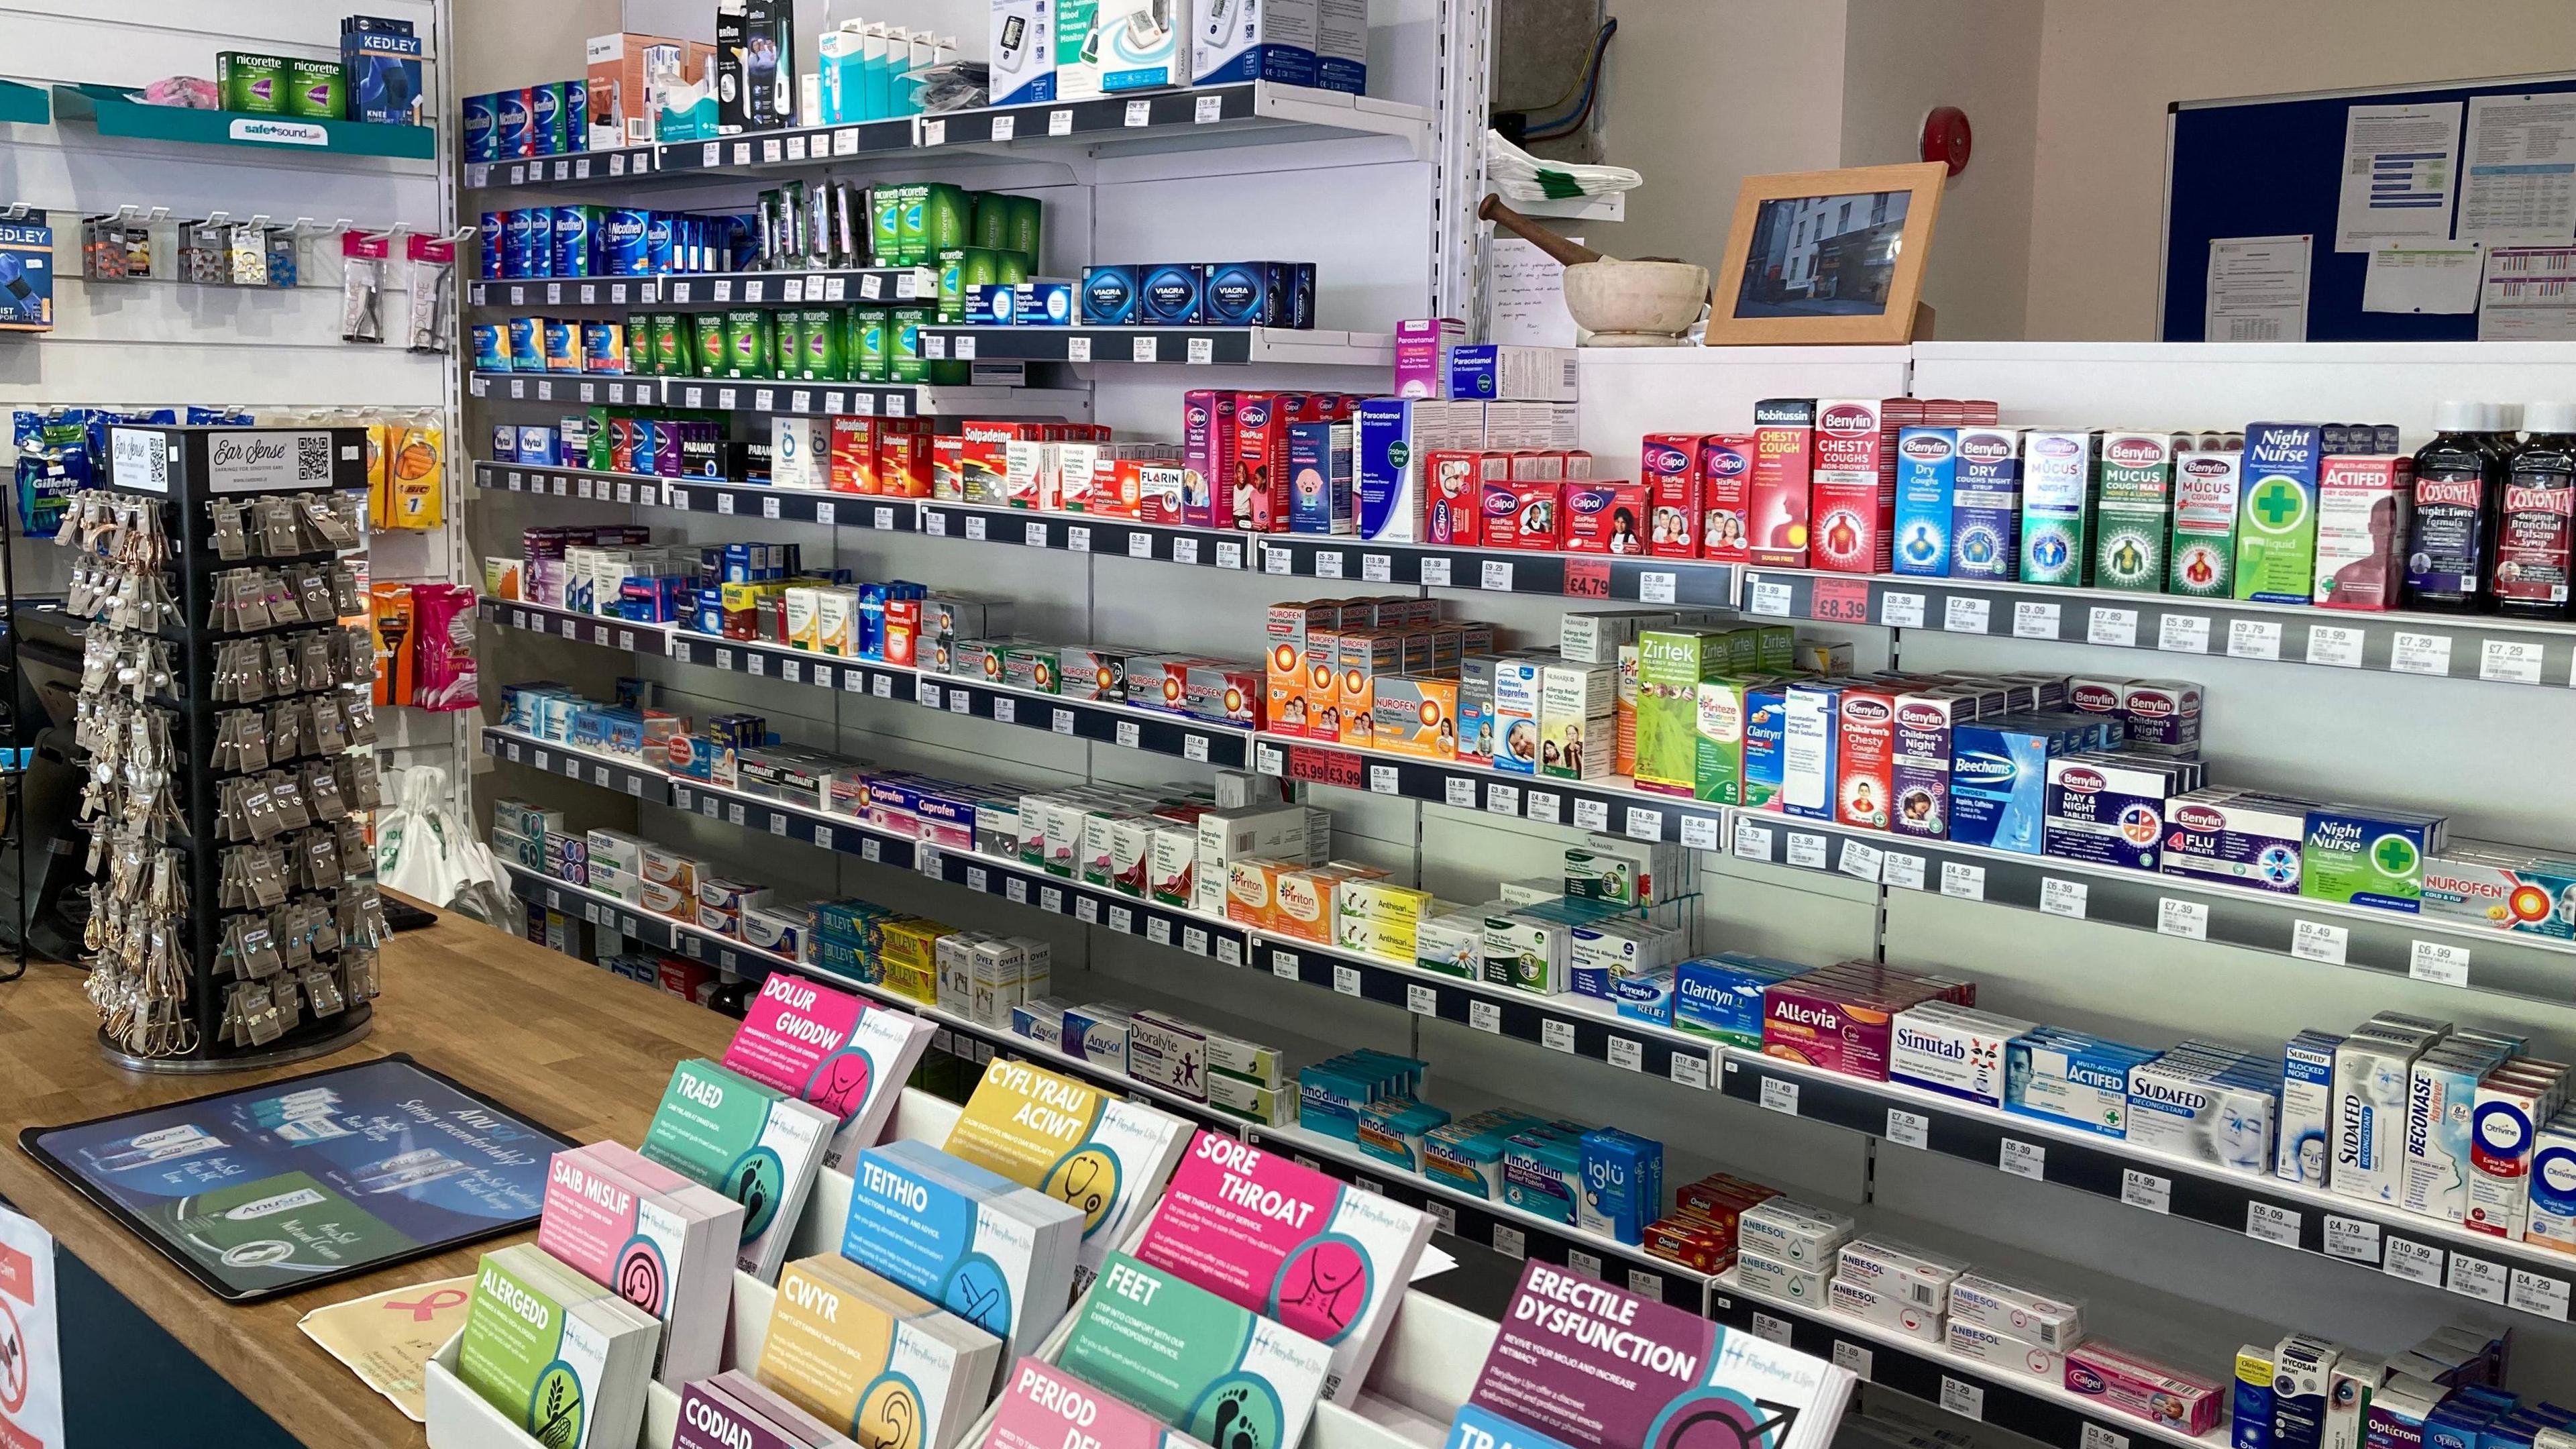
{"x":1902,"y":58}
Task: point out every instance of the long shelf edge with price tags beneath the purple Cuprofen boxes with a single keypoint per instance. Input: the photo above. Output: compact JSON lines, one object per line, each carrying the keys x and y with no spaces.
{"x":1202,"y":935}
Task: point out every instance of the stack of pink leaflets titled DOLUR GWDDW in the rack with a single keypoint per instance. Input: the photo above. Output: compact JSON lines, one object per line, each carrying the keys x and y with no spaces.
{"x":833,"y":1051}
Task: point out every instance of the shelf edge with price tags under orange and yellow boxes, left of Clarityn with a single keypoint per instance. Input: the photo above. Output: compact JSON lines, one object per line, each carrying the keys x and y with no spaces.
{"x":1573,"y":1025}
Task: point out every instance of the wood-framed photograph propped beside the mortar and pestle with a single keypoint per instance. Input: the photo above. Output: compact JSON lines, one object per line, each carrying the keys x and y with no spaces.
{"x":1828,"y":257}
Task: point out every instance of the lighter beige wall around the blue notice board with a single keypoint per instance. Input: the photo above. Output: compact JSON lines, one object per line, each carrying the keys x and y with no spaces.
{"x":2108,"y":71}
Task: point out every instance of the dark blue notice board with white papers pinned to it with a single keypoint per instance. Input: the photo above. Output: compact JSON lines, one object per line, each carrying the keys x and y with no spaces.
{"x":2273,"y":169}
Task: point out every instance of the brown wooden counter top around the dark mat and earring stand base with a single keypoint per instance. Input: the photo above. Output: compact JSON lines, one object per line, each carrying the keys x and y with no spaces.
{"x":540,"y":1033}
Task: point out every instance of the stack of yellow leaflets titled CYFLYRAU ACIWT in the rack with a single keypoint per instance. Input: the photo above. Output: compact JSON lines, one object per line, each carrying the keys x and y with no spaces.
{"x":1073,"y":1143}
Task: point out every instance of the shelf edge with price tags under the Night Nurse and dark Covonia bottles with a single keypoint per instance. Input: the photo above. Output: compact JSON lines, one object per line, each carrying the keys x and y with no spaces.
{"x":2438,"y":646}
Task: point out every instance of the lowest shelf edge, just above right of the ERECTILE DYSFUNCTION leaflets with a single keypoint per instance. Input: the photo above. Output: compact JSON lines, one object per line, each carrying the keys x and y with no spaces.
{"x":1987,"y":1394}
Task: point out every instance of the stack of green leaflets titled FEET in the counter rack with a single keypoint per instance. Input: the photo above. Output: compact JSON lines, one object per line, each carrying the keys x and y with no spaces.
{"x":1194,"y":1360}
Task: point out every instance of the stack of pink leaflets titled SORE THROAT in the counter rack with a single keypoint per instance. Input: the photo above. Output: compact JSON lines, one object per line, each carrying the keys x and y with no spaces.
{"x":1289,"y":1244}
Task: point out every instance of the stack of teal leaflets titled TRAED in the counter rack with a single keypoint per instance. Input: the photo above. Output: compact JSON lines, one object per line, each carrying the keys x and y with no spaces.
{"x":746,"y":1141}
